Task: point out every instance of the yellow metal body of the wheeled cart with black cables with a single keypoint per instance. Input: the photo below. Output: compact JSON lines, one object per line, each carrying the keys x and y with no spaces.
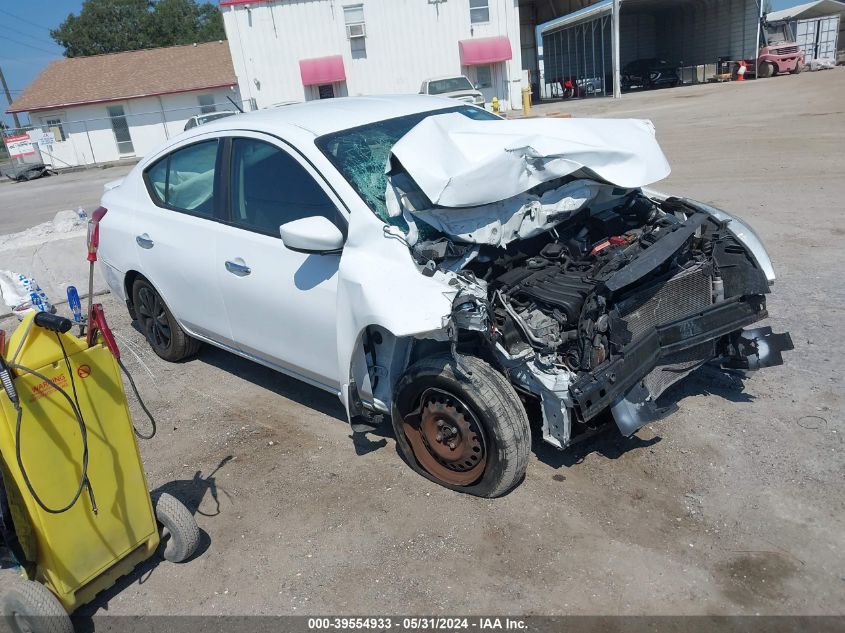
{"x":77,"y":554}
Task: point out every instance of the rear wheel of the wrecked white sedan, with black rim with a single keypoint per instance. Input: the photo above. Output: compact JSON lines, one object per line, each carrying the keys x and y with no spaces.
{"x":164,"y":334}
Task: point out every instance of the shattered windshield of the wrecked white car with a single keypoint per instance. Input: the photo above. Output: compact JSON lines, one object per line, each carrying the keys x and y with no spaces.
{"x":360,"y":154}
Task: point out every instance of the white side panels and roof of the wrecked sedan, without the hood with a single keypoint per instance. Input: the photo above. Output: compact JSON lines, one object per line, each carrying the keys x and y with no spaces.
{"x":374,"y":281}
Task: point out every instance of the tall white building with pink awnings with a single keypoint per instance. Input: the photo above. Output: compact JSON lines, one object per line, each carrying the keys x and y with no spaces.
{"x":309,"y":49}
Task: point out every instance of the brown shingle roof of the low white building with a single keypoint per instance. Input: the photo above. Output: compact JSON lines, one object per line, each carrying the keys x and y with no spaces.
{"x":154,"y":71}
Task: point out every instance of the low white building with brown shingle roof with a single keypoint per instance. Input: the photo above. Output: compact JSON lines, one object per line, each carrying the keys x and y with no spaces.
{"x":107,"y":108}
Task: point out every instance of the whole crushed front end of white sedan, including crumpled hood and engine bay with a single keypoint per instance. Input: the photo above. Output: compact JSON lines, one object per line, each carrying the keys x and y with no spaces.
{"x":586,"y":292}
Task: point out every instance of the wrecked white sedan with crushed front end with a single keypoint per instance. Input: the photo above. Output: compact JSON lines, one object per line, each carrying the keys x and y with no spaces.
{"x":434,"y":265}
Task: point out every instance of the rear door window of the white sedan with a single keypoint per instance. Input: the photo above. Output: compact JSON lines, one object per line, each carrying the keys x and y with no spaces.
{"x":184,"y":180}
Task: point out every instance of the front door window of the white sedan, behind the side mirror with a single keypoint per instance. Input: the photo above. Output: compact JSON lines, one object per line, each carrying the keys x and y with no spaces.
{"x":270,"y":188}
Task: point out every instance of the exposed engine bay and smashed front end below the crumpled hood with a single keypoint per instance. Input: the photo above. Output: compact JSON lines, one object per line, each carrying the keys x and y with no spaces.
{"x":607,"y":308}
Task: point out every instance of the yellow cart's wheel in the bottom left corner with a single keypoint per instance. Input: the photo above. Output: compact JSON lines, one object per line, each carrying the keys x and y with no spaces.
{"x":29,"y":607}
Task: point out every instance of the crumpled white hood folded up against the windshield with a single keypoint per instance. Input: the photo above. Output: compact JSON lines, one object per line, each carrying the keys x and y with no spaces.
{"x":461,"y":162}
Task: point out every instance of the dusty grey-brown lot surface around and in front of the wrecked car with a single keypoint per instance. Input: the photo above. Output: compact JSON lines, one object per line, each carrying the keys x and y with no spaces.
{"x":732,"y":505}
